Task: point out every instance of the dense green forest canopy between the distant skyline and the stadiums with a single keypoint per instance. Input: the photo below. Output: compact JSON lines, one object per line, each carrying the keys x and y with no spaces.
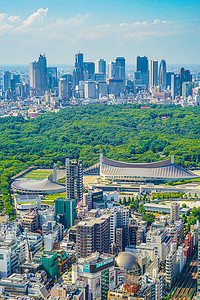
{"x":122,"y":132}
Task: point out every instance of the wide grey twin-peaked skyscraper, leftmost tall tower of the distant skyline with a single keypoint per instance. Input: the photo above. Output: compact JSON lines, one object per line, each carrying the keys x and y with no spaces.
{"x":38,"y":75}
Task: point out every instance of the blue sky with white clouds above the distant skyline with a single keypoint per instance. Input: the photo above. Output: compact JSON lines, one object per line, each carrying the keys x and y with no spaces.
{"x":100,"y":29}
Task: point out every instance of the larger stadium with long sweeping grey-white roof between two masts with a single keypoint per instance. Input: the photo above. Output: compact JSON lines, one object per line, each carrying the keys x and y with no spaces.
{"x":164,"y":170}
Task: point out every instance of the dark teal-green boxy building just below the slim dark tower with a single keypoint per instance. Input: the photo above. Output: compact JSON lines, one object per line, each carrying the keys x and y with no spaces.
{"x":65,"y":211}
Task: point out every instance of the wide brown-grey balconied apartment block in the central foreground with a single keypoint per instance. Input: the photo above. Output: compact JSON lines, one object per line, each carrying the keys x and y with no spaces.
{"x":93,"y":235}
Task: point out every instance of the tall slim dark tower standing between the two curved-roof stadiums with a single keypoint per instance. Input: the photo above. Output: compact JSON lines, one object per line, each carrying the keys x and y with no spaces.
{"x":74,"y":180}
